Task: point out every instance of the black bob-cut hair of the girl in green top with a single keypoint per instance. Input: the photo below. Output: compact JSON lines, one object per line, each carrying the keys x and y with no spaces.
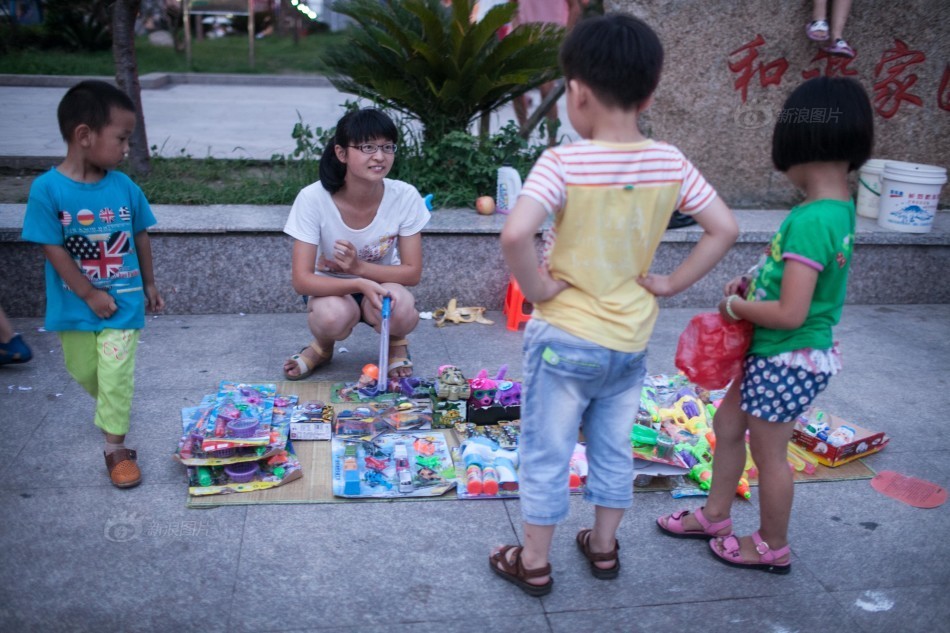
{"x":825,"y":119}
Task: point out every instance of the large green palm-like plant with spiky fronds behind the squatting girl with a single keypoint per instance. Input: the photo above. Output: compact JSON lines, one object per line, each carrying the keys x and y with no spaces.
{"x":432,"y":63}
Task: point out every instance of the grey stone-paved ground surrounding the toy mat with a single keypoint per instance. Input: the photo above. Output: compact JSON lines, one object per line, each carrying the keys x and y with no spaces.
{"x":861,"y":561}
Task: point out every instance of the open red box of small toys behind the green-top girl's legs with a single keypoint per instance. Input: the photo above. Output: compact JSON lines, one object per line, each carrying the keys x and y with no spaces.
{"x":833,"y":440}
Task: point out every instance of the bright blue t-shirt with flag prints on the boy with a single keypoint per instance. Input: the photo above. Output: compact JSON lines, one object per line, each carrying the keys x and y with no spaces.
{"x":96,"y":223}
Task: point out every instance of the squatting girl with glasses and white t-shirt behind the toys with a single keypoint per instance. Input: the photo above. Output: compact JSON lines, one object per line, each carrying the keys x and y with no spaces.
{"x":357,"y":238}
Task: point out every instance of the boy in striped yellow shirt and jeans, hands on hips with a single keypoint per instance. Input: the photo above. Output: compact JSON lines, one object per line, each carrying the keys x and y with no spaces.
{"x":610,"y":197}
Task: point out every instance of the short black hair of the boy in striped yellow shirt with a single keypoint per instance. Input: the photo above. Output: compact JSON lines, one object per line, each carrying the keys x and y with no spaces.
{"x":618,"y":56}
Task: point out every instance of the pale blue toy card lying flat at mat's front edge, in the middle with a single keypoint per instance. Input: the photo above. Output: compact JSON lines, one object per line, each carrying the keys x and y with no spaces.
{"x":407,"y":464}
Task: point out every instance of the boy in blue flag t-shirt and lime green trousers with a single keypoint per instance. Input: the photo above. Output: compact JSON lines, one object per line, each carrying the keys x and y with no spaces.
{"x":91,"y":222}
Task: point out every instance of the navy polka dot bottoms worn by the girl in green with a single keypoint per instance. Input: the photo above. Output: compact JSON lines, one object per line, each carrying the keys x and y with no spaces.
{"x":776,"y":392}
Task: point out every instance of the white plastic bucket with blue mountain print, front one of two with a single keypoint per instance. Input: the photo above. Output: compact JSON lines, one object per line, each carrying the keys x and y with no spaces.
{"x":909,"y":196}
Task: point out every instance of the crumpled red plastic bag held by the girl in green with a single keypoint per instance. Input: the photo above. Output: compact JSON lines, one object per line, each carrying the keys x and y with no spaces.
{"x":710,"y":350}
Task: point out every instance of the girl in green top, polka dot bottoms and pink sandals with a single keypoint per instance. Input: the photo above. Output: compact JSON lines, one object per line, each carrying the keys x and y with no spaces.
{"x":824,"y":131}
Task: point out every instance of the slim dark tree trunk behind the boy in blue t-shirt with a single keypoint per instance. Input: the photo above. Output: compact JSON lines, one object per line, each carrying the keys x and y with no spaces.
{"x":124,"y":13}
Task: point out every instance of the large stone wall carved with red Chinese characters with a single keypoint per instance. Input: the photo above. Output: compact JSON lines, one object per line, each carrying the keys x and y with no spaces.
{"x":730,"y":66}
